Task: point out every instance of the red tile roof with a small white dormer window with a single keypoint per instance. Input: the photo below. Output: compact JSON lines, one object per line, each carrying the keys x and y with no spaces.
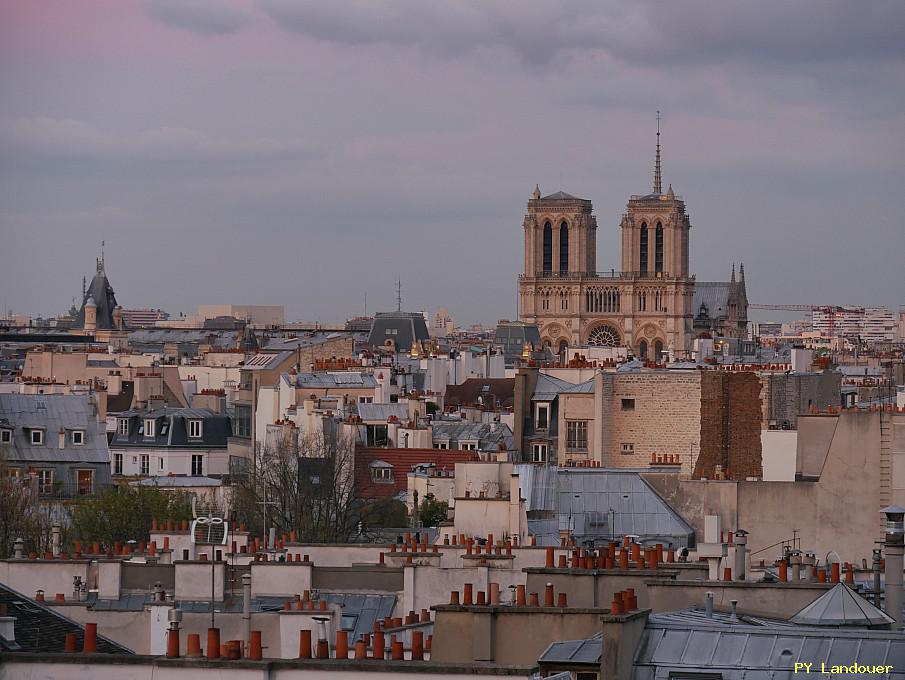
{"x":402,"y":461}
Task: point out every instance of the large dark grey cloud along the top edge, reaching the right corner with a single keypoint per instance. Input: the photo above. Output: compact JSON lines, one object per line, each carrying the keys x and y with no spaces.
{"x":643,"y":31}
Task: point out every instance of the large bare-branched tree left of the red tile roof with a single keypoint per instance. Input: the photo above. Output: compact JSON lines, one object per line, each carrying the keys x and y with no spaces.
{"x":302,"y":482}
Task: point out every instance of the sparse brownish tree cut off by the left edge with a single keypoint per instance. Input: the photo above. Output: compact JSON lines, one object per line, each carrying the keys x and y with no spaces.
{"x":22,"y":514}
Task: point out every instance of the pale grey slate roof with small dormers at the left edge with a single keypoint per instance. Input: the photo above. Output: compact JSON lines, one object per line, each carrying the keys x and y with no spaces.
{"x":53,"y":412}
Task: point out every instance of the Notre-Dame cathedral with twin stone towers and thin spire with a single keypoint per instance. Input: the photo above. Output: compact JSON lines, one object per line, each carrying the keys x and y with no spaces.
{"x":653,"y":306}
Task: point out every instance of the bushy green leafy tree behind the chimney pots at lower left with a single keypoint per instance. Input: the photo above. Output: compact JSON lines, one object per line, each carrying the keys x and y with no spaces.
{"x":124,"y":513}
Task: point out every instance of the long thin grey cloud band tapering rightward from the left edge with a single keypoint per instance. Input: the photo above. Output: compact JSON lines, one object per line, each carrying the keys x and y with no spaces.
{"x":52,"y":139}
